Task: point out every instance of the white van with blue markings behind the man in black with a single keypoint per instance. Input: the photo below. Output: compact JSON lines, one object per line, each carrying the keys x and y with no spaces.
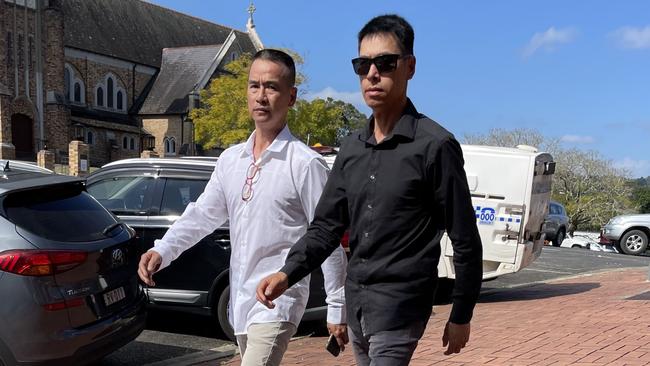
{"x":511,"y":189}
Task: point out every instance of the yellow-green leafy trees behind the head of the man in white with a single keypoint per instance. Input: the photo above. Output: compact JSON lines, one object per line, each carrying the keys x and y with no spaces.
{"x":223,"y":118}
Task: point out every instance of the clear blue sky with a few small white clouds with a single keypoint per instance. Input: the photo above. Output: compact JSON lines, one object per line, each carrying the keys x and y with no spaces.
{"x":574,"y":70}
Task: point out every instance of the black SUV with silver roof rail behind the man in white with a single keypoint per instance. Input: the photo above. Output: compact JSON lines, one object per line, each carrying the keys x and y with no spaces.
{"x":149,"y":195}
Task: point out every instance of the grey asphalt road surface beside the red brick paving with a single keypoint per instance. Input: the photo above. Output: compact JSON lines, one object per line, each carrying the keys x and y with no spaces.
{"x":178,"y":339}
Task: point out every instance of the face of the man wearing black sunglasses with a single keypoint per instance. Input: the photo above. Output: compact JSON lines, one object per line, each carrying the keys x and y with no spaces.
{"x":384,"y":90}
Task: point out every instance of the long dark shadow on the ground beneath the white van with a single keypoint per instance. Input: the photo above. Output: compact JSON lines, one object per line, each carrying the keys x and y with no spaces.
{"x":539,"y":291}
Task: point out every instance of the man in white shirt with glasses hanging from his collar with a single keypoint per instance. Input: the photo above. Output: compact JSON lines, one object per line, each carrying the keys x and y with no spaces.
{"x":268,"y":188}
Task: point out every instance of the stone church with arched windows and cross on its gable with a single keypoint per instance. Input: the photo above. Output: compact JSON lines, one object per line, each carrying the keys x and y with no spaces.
{"x":121,"y":75}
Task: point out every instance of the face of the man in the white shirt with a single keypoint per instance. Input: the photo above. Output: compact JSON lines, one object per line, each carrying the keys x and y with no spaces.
{"x":270,"y":94}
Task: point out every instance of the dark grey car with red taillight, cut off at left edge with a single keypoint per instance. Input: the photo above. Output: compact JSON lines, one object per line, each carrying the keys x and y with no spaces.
{"x":70,"y":292}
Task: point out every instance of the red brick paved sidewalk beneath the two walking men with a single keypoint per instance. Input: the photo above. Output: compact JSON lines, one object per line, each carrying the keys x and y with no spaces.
{"x":598,"y":319}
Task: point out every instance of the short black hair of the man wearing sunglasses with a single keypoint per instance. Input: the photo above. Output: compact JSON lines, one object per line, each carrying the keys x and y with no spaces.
{"x":391,"y":24}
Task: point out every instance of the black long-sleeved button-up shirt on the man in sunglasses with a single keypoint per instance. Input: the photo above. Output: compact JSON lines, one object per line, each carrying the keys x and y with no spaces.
{"x":397,"y":197}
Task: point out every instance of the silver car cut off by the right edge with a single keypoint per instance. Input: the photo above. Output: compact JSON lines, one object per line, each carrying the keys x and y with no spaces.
{"x":629,"y":233}
